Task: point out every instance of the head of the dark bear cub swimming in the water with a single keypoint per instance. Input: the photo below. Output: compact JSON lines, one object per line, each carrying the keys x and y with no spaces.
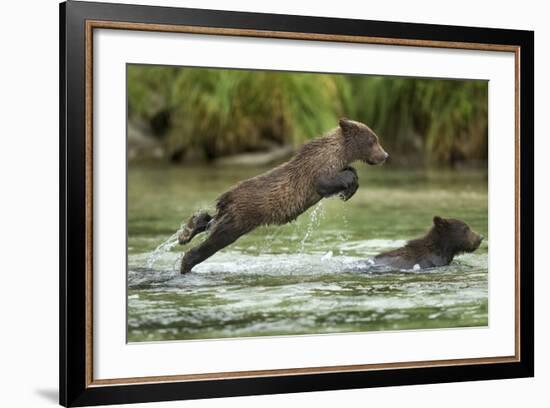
{"x":456,"y":235}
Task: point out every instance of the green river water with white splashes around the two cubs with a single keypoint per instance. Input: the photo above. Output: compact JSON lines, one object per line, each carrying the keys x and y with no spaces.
{"x":298,"y":278}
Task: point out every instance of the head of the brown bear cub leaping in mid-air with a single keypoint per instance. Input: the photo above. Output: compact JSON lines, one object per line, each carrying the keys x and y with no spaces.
{"x":362,"y":143}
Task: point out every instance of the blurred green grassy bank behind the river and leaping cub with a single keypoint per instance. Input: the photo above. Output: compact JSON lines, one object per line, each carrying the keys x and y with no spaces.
{"x":182,"y":114}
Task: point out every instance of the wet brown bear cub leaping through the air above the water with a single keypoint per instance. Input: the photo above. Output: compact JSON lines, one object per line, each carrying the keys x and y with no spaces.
{"x":321,"y":168}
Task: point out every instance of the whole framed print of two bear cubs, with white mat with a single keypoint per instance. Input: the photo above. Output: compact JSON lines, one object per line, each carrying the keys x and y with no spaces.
{"x":256,"y":203}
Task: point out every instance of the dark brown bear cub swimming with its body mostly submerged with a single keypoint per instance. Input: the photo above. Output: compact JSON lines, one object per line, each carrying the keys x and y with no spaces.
{"x":446,"y":239}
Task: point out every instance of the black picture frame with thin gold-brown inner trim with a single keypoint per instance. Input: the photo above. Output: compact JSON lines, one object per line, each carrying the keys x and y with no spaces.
{"x":78,"y":20}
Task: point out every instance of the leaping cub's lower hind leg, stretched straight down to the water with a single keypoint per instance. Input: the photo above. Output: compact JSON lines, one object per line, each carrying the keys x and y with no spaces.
{"x":220,"y":237}
